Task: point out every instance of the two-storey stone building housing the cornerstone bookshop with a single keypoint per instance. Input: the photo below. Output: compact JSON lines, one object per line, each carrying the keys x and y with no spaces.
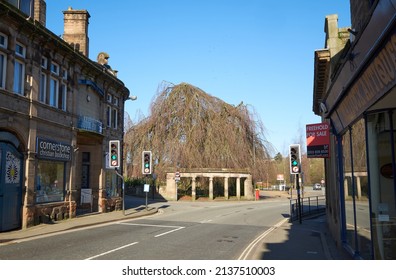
{"x":58,"y":111}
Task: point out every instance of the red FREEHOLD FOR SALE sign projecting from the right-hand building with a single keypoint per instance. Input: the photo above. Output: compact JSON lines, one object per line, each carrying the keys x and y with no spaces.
{"x":318,"y":140}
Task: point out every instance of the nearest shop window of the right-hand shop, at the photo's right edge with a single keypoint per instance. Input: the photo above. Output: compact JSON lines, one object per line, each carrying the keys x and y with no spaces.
{"x":381,"y":141}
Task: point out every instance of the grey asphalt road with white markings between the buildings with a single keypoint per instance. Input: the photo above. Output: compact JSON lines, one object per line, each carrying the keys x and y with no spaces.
{"x":181,"y":231}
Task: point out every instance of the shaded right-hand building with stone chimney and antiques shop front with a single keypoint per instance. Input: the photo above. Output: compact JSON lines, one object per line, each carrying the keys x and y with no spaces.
{"x":354,"y":91}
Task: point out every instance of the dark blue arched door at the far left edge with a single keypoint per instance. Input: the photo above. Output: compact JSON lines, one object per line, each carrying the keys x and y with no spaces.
{"x":10,"y":187}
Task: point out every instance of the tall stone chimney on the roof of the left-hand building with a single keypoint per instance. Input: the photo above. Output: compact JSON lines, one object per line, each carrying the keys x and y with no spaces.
{"x":76,"y":29}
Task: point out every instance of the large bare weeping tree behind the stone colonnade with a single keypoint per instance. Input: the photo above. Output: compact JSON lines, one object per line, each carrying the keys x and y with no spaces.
{"x":190,"y":129}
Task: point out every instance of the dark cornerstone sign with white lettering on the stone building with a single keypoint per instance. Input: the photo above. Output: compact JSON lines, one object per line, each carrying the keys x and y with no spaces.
{"x":52,"y":150}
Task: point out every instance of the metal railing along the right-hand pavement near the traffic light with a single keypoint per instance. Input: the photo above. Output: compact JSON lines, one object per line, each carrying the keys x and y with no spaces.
{"x":309,"y":206}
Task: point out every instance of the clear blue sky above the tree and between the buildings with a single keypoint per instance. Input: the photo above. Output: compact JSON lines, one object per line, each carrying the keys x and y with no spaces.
{"x":256,"y":51}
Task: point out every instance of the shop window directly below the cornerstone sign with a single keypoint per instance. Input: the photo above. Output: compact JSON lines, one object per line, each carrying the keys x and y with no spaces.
{"x":50,"y":181}
